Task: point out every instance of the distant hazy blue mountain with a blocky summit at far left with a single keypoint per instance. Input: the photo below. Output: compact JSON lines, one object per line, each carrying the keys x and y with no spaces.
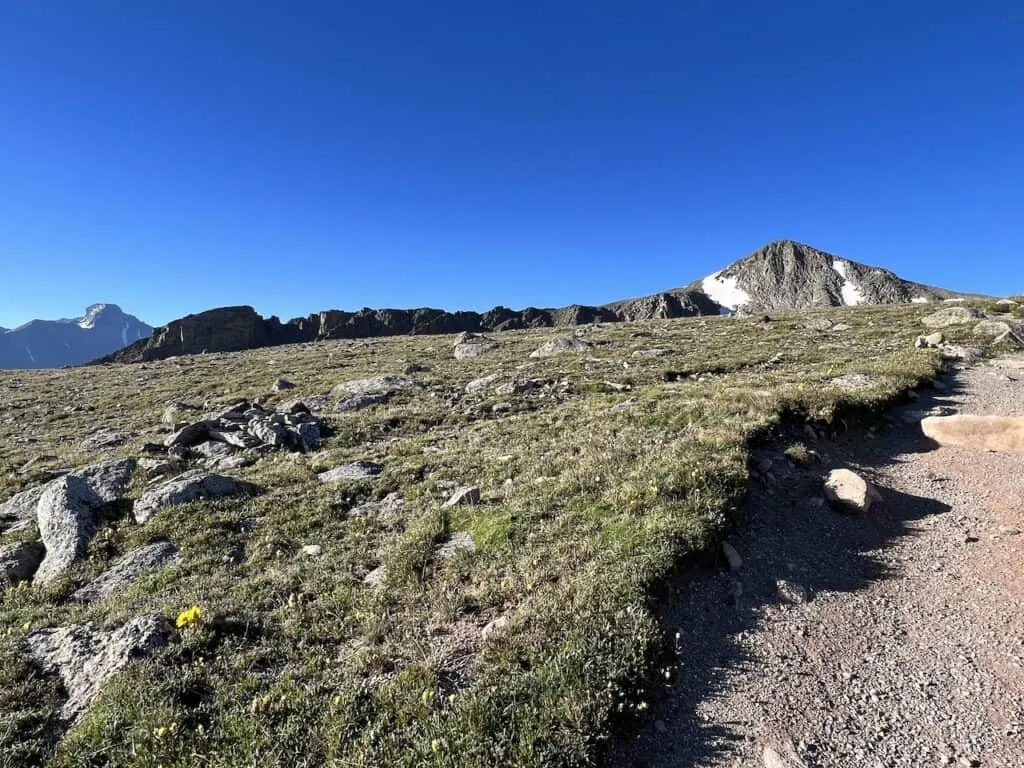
{"x":101,"y":331}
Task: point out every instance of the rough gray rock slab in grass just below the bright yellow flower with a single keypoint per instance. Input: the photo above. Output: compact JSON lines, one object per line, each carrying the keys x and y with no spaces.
{"x":87,"y":658}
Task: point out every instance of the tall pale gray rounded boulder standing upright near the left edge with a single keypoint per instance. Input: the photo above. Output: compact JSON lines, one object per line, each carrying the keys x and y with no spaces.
{"x":67,"y":515}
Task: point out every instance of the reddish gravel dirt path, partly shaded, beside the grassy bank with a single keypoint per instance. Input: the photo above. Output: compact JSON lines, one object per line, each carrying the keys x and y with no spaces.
{"x":910,"y":651}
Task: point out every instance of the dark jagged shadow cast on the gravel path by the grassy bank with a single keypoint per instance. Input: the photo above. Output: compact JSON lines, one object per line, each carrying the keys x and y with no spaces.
{"x":786,"y":534}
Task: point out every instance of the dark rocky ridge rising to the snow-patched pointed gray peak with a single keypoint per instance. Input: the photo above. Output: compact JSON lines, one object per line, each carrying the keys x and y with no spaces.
{"x":783,"y":275}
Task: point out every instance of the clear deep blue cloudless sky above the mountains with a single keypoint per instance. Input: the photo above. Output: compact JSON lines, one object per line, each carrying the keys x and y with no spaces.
{"x":177,"y":156}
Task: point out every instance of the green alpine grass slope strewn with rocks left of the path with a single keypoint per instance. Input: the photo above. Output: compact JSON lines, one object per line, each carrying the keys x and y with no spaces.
{"x":586,"y":511}
